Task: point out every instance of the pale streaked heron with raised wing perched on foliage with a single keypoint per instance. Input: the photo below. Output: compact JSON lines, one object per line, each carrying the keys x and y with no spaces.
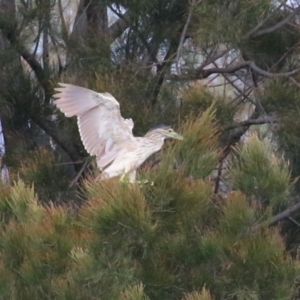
{"x":106,"y":134}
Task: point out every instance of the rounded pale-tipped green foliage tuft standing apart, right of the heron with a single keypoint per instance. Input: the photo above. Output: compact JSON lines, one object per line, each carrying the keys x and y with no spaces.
{"x":258,"y":172}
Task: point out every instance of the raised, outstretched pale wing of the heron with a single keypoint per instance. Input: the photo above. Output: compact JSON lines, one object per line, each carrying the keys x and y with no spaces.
{"x":101,"y":126}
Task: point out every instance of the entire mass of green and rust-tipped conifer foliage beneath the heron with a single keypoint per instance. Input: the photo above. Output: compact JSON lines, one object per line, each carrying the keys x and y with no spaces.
{"x":171,"y":240}
